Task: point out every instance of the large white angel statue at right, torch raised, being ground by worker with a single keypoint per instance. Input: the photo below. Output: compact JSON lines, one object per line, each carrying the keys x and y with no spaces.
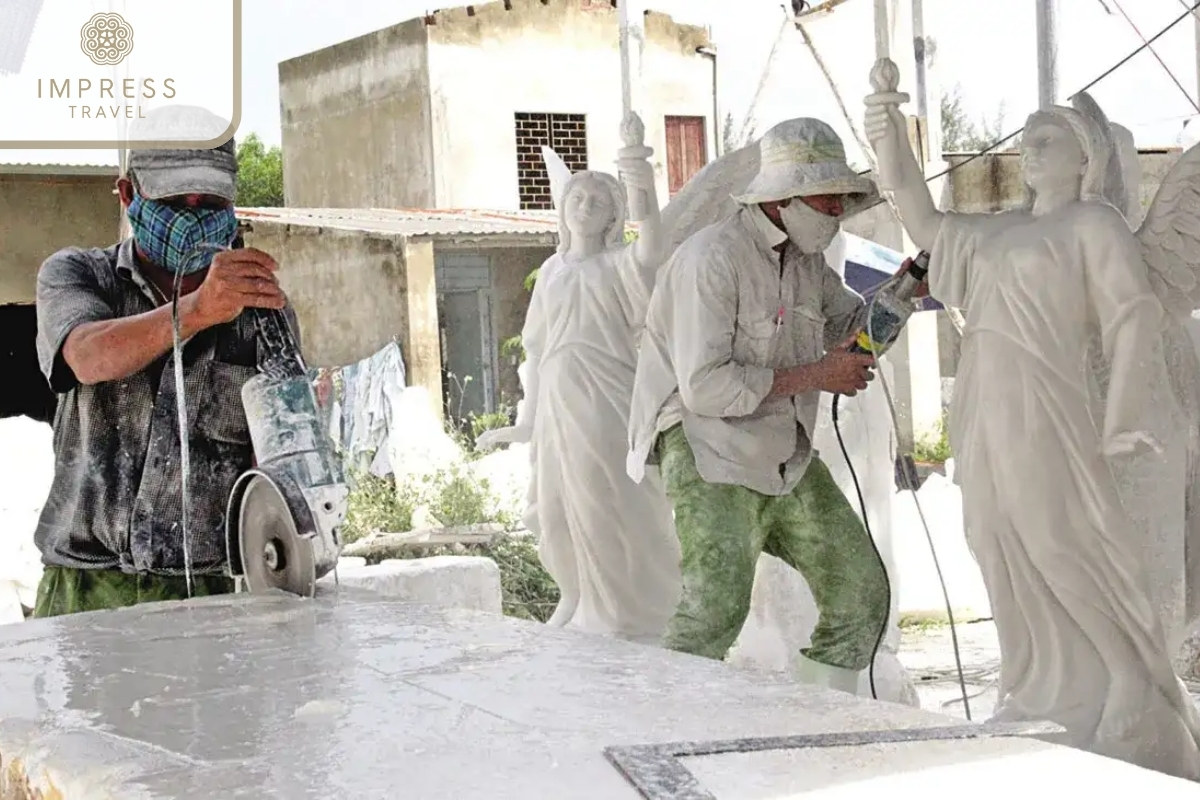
{"x":1083,"y":643}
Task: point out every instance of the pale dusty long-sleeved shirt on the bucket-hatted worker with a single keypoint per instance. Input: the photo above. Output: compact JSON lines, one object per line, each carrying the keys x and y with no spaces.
{"x":736,"y":303}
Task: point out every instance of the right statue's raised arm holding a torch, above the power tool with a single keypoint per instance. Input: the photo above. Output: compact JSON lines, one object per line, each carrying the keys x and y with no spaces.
{"x":899,"y":172}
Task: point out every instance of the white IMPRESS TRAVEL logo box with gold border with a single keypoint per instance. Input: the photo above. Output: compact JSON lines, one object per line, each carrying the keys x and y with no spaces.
{"x":85,"y":76}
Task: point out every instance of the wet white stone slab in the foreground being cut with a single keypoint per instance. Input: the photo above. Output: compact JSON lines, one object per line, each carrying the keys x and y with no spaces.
{"x":357,"y":696}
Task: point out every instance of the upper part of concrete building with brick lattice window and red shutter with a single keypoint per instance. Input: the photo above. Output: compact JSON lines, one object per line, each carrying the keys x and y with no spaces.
{"x":449,"y":111}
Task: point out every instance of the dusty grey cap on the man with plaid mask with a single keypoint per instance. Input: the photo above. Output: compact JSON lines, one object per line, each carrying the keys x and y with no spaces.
{"x":171,"y":173}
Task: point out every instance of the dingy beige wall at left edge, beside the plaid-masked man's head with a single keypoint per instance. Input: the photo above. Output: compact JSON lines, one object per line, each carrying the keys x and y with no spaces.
{"x":44,"y":214}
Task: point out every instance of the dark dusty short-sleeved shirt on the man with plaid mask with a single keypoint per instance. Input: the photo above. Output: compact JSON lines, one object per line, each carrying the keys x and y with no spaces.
{"x":116,"y":502}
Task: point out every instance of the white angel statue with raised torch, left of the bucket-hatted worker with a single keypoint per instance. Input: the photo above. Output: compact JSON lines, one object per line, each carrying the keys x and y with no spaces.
{"x":608,"y":543}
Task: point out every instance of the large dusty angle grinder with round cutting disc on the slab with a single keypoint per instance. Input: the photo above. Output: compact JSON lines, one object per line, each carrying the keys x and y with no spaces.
{"x":285,"y":515}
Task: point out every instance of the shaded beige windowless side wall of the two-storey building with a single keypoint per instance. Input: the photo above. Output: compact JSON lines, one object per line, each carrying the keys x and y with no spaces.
{"x":357,"y":124}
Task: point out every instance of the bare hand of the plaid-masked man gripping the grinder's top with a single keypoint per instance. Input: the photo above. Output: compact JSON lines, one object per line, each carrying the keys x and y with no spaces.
{"x":238,"y":280}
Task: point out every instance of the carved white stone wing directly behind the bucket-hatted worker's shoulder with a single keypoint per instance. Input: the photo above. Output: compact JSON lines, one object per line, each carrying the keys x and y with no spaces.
{"x":709,"y":196}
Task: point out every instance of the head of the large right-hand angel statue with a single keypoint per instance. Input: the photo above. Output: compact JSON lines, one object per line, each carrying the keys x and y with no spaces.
{"x":1065,"y":148}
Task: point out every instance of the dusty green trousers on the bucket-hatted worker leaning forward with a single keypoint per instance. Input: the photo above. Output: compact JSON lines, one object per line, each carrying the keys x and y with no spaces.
{"x":723,"y":530}
